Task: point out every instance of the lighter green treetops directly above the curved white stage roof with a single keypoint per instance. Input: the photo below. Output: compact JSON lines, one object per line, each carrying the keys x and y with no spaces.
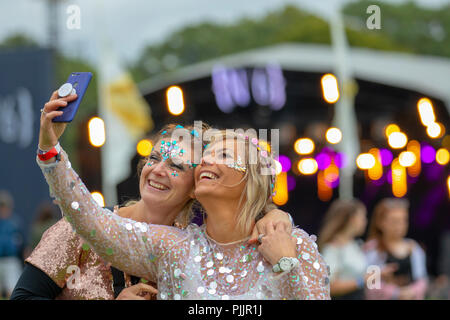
{"x":205,"y":41}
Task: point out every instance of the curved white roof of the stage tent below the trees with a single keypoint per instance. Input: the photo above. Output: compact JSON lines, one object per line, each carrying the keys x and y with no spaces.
{"x":427,"y":74}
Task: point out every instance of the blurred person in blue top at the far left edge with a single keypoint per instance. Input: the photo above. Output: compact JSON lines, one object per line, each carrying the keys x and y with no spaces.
{"x":11,"y":244}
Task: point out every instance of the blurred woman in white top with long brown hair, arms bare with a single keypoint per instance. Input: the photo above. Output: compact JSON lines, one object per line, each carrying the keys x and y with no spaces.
{"x":344,"y":221}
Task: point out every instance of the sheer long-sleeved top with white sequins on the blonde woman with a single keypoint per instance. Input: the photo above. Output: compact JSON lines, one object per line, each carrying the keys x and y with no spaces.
{"x":185,"y":264}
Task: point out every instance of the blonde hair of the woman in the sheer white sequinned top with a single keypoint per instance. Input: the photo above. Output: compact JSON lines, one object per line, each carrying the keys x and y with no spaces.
{"x":256,"y":199}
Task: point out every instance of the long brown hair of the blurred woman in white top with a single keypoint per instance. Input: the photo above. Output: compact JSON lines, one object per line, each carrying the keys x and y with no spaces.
{"x":337,"y":218}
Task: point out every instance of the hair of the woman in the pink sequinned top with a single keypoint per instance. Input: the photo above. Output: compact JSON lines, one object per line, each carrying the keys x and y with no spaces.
{"x":186,"y":214}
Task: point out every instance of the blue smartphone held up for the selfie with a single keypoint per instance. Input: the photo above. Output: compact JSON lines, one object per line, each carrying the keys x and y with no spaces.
{"x":80,"y":82}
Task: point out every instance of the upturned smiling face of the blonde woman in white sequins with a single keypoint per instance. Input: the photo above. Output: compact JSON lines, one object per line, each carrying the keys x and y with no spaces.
{"x":215,"y":177}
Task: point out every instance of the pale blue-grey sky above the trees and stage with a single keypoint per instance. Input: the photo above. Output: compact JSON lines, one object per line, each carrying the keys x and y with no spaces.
{"x":132,"y":24}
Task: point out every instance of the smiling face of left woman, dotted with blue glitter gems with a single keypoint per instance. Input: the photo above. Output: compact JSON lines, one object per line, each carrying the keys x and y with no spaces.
{"x":167,"y":179}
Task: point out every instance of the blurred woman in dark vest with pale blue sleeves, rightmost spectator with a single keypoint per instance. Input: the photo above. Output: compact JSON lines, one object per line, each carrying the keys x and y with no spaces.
{"x":387,"y":245}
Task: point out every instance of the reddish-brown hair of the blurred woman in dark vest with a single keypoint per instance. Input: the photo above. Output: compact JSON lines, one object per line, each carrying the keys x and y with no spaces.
{"x":379,"y":213}
